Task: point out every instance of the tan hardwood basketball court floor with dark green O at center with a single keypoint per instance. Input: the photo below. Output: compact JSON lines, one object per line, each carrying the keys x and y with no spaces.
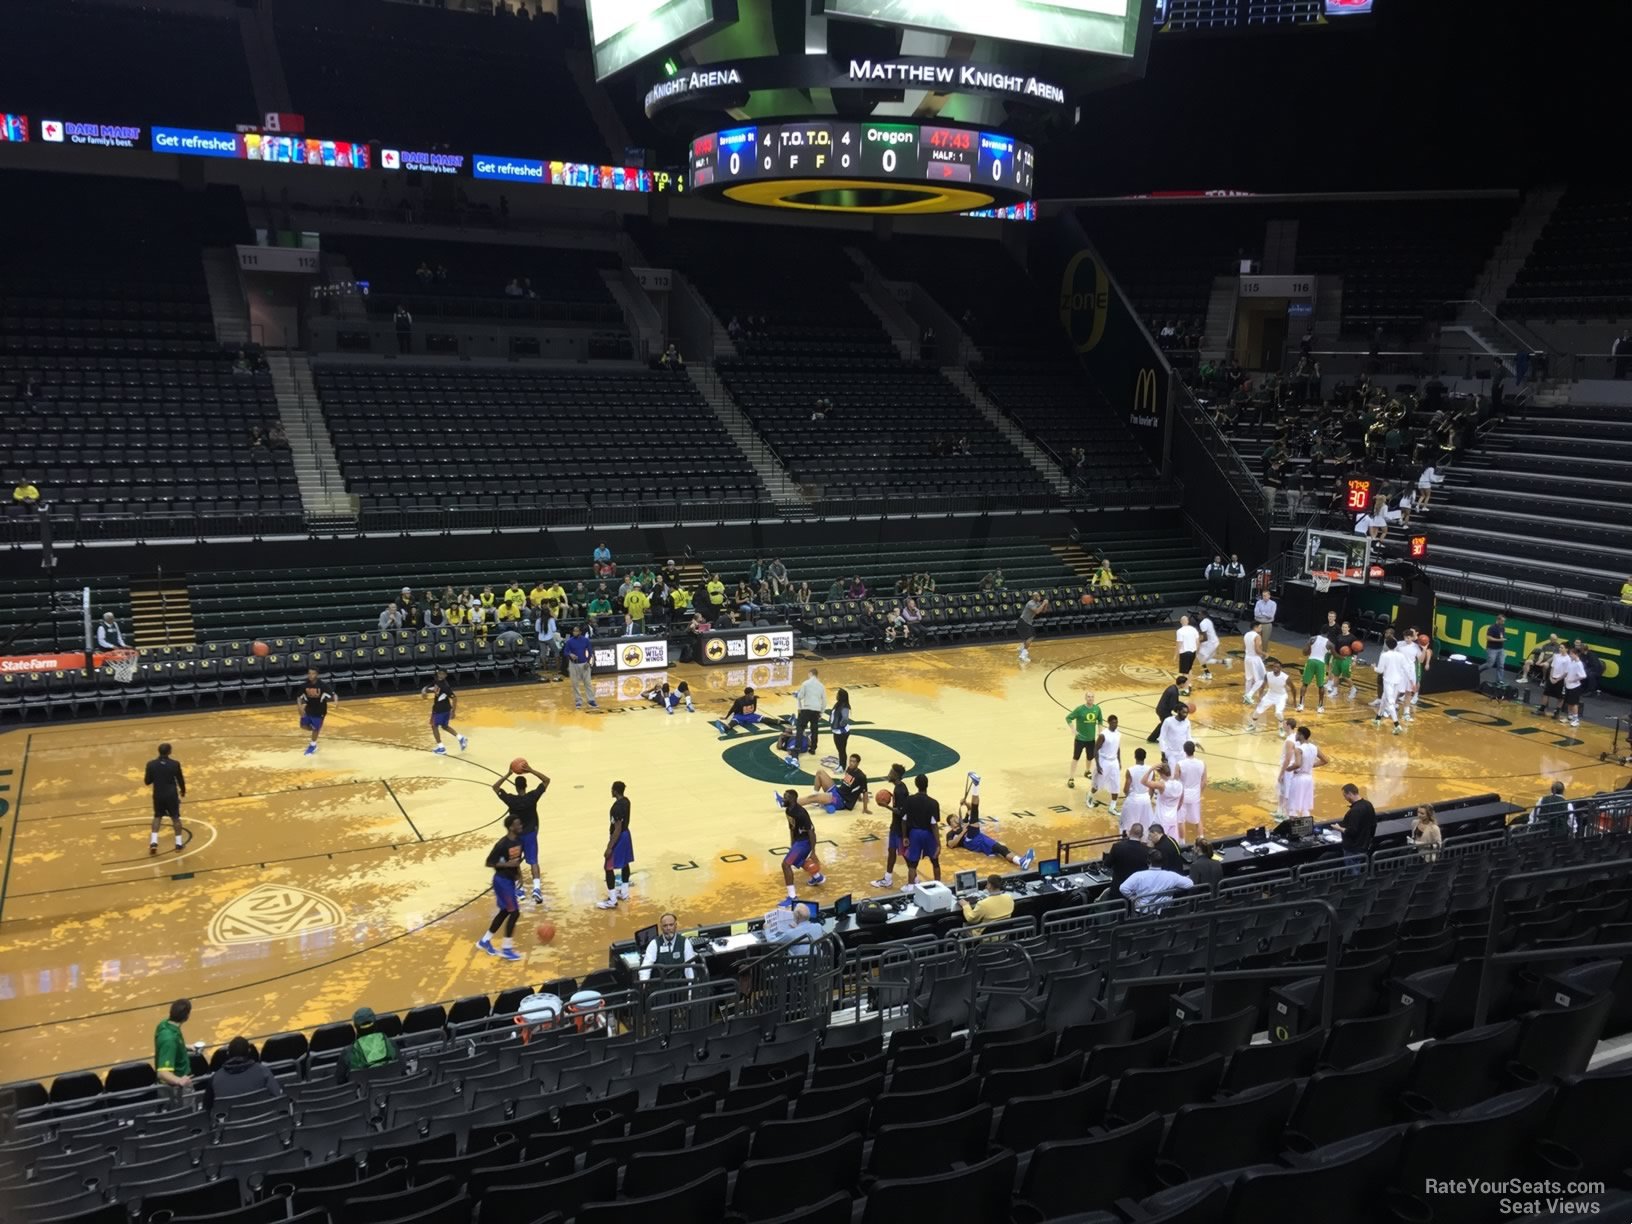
{"x":313,"y":885}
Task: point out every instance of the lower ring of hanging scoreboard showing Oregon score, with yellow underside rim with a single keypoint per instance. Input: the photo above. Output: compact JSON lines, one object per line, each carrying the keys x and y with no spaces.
{"x":863,"y":167}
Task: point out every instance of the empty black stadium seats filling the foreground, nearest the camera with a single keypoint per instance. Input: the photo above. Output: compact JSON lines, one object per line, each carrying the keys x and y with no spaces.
{"x":1052,"y":1073}
